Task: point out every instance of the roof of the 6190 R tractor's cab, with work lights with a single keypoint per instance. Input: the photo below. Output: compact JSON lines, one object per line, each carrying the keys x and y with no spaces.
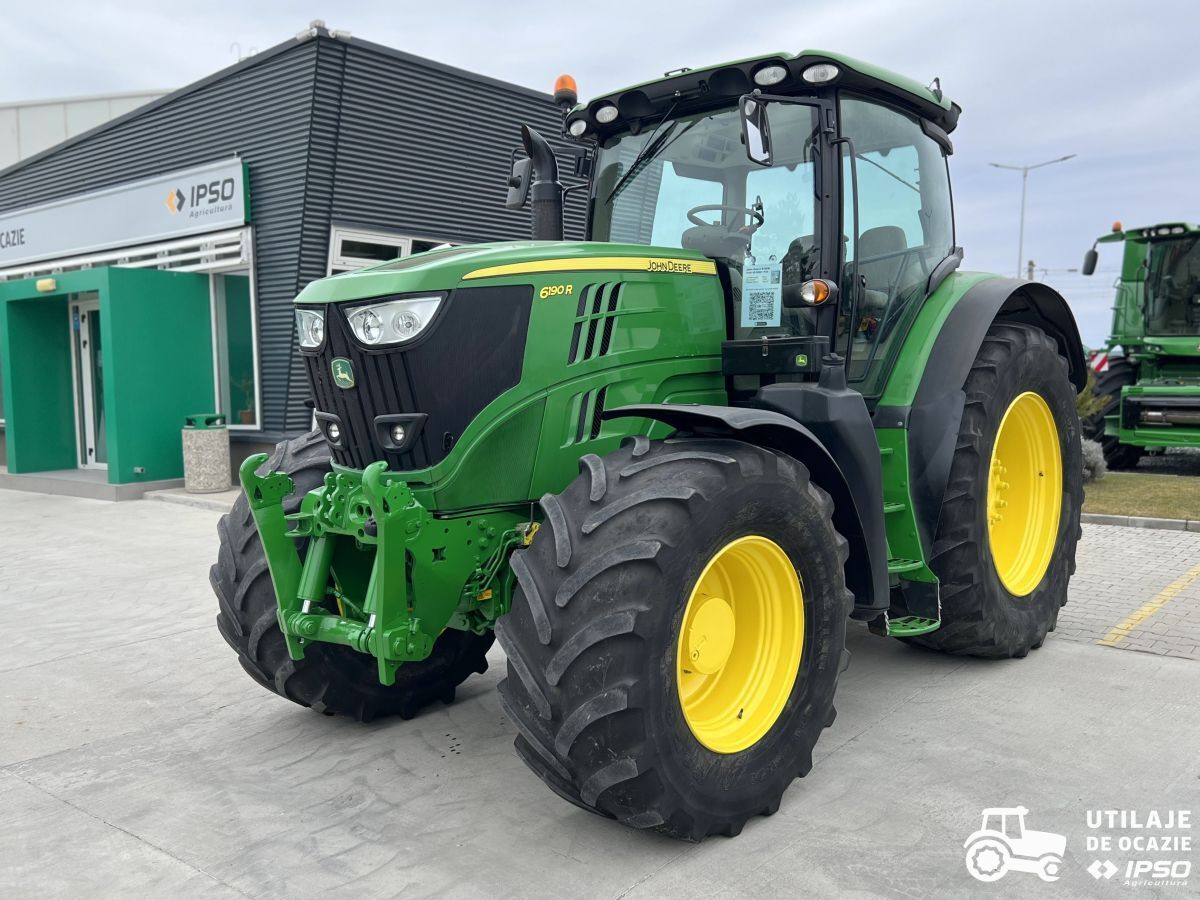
{"x":715,"y":87}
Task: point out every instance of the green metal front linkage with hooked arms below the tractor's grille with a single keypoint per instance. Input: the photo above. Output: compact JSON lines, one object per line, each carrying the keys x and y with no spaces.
{"x":381,"y":574}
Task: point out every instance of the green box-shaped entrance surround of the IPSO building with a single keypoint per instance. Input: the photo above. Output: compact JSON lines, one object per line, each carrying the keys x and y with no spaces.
{"x":158,"y":359}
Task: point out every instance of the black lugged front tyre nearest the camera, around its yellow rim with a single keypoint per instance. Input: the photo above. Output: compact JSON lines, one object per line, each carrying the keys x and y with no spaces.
{"x":595,"y":633}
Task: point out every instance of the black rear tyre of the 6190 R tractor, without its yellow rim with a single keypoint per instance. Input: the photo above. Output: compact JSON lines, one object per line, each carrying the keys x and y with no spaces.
{"x":981,"y":617}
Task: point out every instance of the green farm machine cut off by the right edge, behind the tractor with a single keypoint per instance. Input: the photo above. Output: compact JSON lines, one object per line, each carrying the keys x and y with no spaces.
{"x":1149,"y":371}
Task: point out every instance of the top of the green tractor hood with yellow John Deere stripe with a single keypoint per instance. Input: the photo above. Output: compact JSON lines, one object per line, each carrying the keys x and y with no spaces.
{"x":483,"y":263}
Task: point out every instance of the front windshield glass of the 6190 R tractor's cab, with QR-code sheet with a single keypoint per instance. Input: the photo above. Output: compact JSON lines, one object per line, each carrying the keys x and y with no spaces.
{"x":695,"y":189}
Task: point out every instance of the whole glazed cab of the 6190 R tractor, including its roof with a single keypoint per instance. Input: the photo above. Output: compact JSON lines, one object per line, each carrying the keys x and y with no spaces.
{"x":823,"y":197}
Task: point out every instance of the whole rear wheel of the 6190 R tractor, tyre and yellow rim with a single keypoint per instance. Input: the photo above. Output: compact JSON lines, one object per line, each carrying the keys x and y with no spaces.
{"x":1006,"y":539}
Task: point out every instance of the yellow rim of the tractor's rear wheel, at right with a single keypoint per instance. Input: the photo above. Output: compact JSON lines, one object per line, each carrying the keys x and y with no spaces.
{"x":1024,"y":494}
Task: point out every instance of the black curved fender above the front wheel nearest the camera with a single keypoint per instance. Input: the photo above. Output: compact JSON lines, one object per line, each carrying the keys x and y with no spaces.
{"x":867,"y":569}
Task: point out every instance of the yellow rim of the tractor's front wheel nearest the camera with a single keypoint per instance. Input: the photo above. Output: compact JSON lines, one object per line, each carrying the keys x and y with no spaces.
{"x":741,"y":645}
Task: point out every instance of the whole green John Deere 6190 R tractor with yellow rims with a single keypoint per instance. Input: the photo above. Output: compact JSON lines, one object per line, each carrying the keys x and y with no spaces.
{"x":668,"y":465}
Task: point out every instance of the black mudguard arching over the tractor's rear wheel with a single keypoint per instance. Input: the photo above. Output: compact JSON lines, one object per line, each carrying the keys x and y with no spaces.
{"x":937,"y":413}
